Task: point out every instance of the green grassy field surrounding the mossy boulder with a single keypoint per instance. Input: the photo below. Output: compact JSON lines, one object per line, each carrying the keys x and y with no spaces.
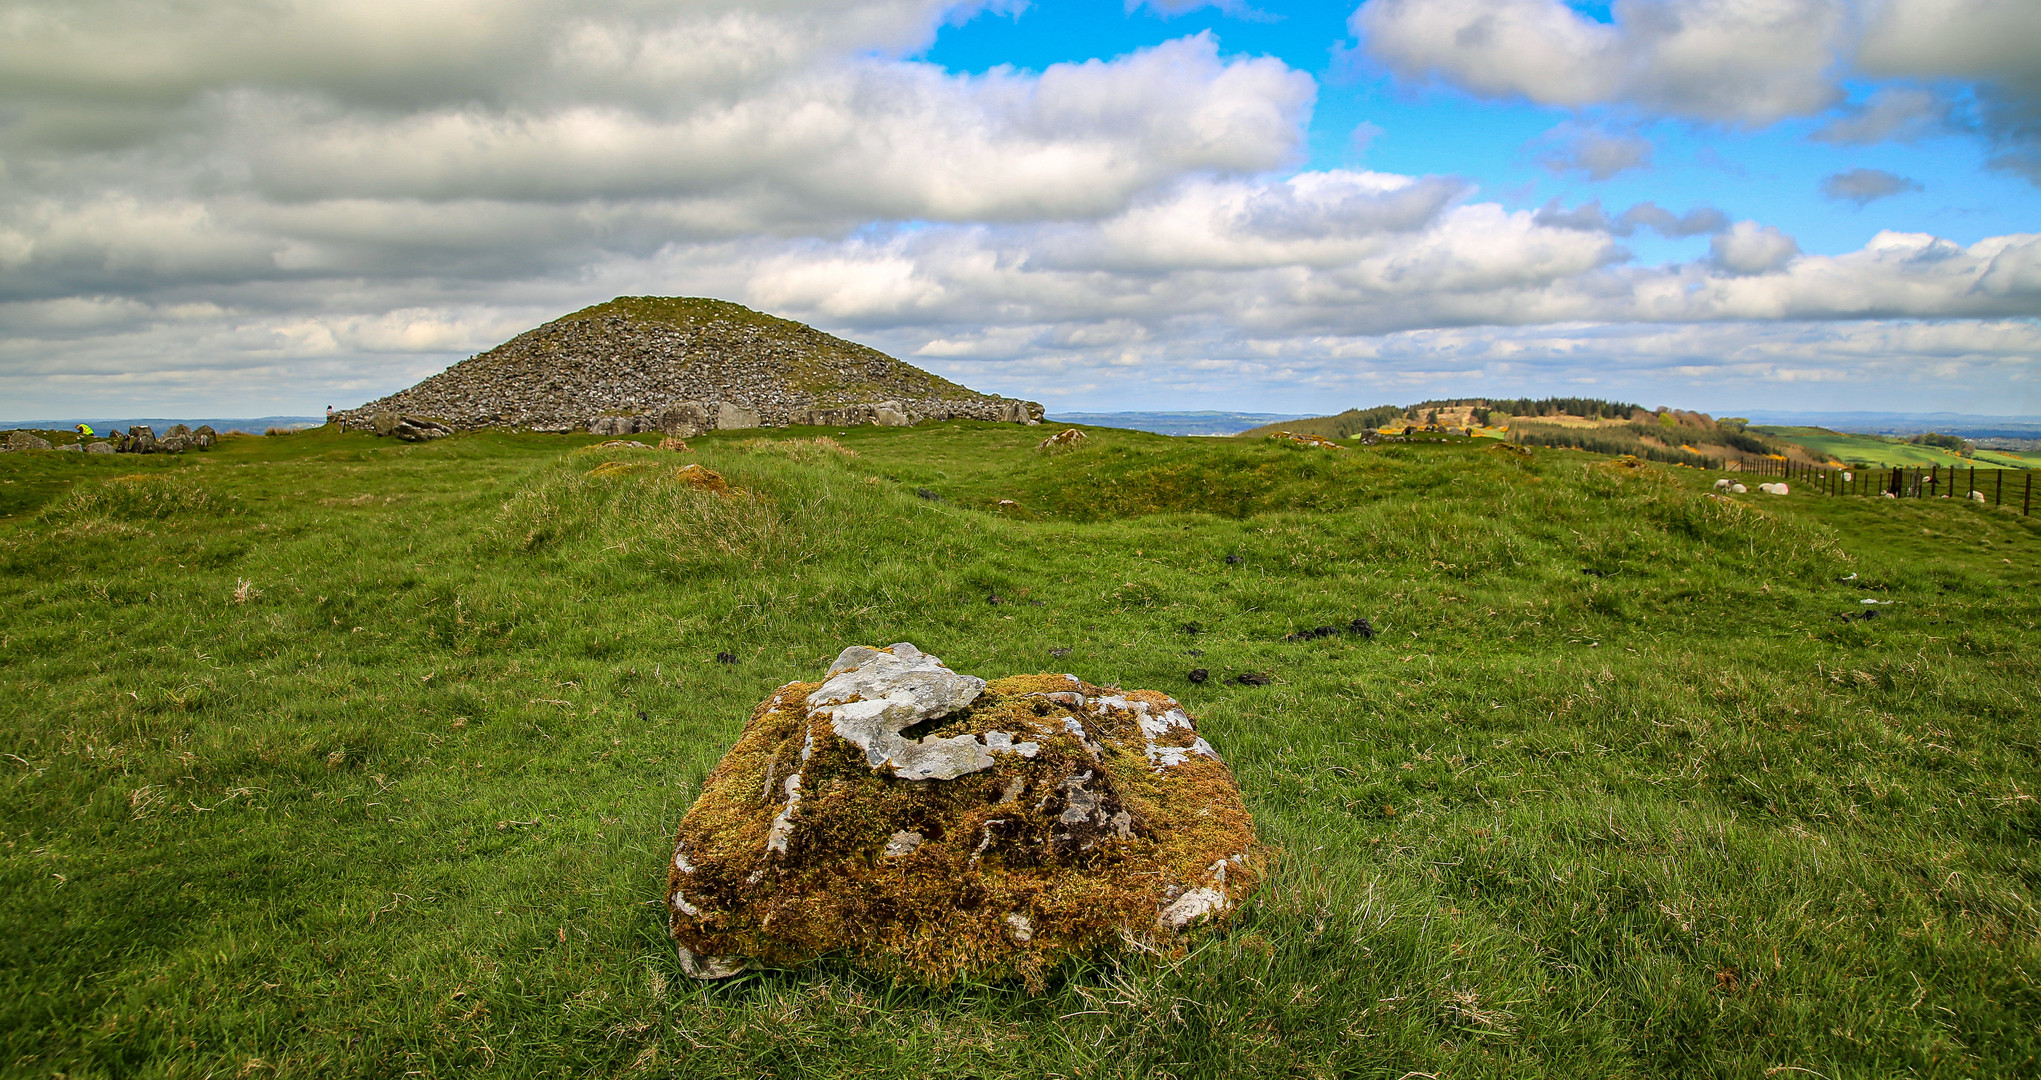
{"x":334,"y":756}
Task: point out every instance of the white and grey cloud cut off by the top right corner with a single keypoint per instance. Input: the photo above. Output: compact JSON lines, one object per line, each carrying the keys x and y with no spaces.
{"x":1736,"y":62}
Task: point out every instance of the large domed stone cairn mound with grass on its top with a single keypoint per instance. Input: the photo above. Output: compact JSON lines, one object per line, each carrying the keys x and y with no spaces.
{"x":681,"y":366}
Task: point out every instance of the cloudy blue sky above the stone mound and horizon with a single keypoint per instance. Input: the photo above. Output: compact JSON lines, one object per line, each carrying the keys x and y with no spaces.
{"x":266,"y":207}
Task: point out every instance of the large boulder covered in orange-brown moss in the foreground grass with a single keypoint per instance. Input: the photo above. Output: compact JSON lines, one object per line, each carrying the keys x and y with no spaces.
{"x":932,"y":826}
